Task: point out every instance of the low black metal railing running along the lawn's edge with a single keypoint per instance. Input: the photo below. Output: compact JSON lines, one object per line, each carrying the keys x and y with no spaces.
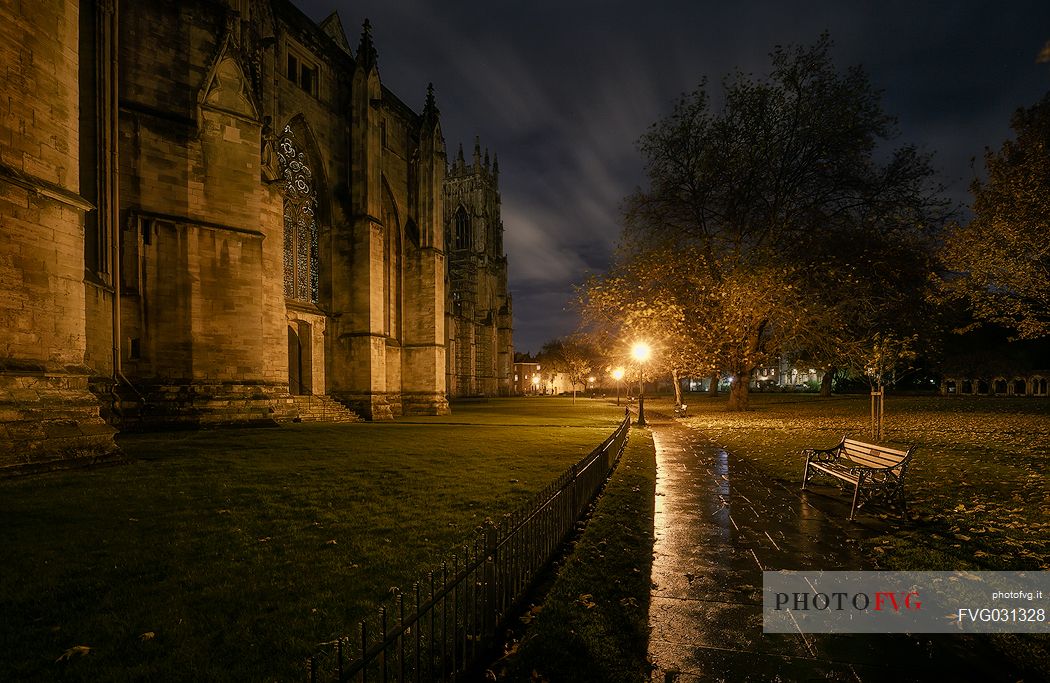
{"x":439,"y":629}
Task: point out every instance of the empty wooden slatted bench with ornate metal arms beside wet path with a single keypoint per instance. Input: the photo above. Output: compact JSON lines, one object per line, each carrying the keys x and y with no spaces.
{"x":875,"y":471}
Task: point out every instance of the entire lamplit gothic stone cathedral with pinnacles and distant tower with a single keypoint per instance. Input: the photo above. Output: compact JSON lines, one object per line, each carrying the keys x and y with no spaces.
{"x":215,"y":213}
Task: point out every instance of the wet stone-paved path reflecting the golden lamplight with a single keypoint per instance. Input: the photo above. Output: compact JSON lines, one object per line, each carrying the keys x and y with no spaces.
{"x":720,"y":523}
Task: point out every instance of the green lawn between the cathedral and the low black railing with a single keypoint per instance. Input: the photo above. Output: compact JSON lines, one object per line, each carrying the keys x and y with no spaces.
{"x":232,"y":554}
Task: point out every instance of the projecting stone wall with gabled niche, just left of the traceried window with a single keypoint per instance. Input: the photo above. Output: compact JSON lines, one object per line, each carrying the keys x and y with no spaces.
{"x":202,"y":308}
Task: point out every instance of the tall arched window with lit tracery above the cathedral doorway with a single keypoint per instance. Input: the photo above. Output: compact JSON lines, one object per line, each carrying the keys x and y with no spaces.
{"x":301,"y":224}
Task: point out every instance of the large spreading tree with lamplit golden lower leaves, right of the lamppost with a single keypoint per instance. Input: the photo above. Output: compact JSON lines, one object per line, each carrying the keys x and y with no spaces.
{"x":769,"y":193}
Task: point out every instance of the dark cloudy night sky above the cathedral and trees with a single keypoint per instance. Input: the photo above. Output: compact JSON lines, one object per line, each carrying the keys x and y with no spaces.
{"x":563,"y":91}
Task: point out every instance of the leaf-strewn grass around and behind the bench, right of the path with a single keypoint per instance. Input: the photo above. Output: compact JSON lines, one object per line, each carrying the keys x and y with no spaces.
{"x":979,"y":474}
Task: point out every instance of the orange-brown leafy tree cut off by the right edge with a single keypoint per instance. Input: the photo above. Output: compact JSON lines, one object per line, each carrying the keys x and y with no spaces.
{"x":1000,"y":261}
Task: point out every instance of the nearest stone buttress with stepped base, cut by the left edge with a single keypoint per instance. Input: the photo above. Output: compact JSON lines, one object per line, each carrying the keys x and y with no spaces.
{"x":47,"y":412}
